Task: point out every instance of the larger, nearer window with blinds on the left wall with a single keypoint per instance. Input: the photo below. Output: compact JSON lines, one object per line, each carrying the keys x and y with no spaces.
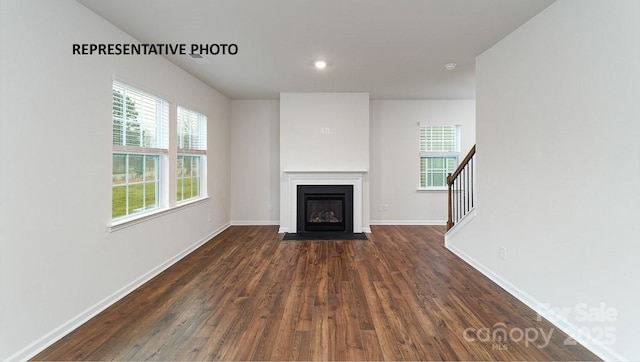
{"x":140,"y":141}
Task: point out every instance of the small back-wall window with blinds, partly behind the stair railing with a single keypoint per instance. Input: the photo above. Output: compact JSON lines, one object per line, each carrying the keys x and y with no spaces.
{"x":439,"y":148}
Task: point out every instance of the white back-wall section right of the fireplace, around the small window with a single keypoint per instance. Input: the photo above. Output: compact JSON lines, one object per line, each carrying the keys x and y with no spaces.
{"x":395,"y":167}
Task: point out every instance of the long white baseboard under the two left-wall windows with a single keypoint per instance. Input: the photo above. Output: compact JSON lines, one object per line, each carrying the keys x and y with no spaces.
{"x":50,"y":338}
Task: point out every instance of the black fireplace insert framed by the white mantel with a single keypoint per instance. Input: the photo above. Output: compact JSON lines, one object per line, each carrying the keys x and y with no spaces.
{"x":324,"y":208}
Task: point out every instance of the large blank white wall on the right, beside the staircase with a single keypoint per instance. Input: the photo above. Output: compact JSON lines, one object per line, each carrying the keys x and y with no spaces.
{"x":558,"y":170}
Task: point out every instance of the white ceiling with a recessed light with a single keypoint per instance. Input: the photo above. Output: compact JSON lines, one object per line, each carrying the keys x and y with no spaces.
{"x":391,"y":49}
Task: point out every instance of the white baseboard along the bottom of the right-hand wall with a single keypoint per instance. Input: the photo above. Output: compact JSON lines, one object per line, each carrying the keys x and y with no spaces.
{"x":573,"y":331}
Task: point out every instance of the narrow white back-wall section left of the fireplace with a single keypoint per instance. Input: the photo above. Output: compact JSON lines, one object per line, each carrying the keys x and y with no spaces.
{"x":255,"y":162}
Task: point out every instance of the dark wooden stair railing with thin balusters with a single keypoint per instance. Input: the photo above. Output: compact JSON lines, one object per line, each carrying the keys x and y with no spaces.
{"x":461,"y":188}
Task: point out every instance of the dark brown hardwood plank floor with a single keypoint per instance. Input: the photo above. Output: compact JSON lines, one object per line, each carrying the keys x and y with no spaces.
{"x":248,"y":295}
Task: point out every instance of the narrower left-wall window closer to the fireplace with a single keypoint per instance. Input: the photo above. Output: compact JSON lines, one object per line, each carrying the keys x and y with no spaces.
{"x":192,"y":150}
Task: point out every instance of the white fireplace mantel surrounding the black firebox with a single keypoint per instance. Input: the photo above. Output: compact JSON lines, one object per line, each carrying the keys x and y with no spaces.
{"x":291,"y":180}
